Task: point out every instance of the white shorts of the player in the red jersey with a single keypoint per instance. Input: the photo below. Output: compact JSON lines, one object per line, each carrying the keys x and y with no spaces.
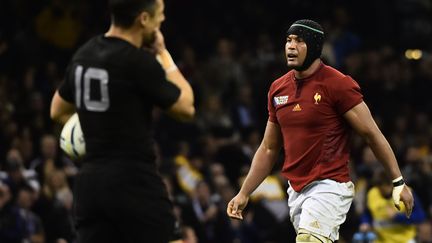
{"x":321,"y":207}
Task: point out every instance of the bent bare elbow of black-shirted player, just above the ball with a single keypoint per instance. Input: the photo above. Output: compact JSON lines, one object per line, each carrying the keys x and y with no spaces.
{"x":61,"y":110}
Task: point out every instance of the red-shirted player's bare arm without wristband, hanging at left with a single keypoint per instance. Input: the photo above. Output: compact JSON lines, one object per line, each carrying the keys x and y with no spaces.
{"x":262,"y":164}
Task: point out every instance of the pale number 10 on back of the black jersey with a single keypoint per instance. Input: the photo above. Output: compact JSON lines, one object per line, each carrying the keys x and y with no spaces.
{"x":96,"y":74}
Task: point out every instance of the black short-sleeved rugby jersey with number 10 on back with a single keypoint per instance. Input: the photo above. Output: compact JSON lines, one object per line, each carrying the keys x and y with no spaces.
{"x":115,"y":87}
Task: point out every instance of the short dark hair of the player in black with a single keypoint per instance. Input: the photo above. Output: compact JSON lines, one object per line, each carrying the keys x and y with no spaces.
{"x":124,"y":12}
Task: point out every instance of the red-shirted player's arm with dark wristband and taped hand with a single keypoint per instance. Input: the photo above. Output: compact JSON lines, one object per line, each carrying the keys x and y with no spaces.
{"x":361,"y":120}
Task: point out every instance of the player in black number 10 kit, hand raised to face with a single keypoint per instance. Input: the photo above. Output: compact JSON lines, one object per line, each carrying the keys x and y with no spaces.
{"x":113,"y":83}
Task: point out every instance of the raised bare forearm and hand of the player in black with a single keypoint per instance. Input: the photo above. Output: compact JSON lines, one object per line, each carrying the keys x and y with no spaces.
{"x":184,"y":108}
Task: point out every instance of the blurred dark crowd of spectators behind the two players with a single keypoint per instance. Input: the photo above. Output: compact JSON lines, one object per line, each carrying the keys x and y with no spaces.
{"x":230,"y":51}
